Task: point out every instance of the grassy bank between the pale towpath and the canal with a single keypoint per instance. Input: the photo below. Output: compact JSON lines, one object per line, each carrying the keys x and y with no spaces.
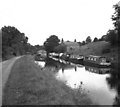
{"x":28,"y":84}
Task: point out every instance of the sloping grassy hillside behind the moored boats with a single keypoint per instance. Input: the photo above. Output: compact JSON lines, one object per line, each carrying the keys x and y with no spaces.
{"x":100,"y":48}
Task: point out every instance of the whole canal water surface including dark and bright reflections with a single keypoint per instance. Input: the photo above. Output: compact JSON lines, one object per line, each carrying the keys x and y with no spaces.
{"x":98,"y":83}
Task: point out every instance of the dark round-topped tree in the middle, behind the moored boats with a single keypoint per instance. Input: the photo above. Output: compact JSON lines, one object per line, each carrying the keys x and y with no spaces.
{"x":51,"y":43}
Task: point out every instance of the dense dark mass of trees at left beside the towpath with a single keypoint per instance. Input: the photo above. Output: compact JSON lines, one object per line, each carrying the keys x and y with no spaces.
{"x":15,"y":43}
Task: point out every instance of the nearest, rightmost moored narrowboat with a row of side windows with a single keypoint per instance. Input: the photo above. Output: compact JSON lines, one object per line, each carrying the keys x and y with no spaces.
{"x":97,"y":61}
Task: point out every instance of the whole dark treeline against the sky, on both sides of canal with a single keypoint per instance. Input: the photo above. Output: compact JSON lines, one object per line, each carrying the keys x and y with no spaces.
{"x":16,"y":43}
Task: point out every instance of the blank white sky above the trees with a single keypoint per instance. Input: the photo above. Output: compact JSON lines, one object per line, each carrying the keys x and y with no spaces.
{"x":67,"y":19}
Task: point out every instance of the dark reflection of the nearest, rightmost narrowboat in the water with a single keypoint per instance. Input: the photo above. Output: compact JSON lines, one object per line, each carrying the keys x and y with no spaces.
{"x":98,"y":70}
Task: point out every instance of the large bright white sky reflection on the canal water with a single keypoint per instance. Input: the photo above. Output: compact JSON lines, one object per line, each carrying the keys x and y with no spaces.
{"x":93,"y":83}
